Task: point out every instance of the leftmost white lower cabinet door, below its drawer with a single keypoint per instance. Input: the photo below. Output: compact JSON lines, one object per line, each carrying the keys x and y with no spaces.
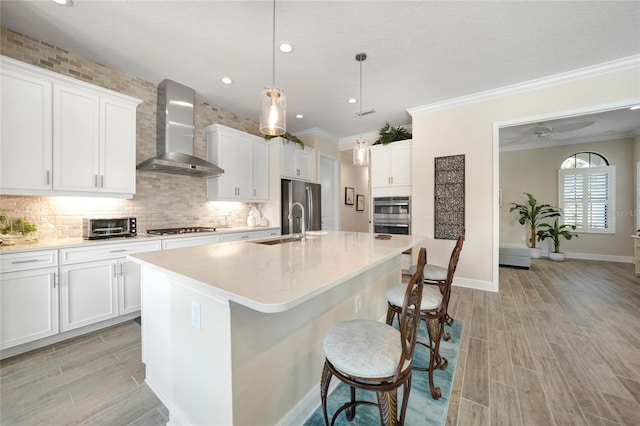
{"x":28,"y":306}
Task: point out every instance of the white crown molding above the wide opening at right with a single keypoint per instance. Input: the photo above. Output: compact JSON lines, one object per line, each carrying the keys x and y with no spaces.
{"x":581,"y":73}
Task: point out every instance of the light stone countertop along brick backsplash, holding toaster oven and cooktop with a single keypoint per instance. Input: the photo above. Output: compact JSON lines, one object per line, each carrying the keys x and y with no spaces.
{"x":141,"y":237}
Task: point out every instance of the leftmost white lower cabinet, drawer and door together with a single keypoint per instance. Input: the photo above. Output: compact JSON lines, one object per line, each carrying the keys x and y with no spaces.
{"x":28,"y":297}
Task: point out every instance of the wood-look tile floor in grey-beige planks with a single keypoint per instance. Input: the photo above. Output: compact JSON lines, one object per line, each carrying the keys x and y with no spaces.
{"x":558,"y":345}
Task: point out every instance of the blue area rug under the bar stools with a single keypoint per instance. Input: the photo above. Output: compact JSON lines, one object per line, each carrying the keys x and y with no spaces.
{"x":423,"y":410}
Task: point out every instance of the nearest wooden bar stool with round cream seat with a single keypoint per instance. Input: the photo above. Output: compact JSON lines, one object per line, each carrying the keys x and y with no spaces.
{"x":370,"y":355}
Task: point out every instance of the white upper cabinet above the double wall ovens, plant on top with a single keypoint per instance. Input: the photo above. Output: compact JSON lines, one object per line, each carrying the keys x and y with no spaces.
{"x":391,"y":165}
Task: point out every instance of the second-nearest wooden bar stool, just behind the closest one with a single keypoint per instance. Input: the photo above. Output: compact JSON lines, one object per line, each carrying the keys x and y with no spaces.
{"x":433,"y":311}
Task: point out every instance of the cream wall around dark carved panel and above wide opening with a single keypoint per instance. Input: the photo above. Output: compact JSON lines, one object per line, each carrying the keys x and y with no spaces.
{"x":471,"y":129}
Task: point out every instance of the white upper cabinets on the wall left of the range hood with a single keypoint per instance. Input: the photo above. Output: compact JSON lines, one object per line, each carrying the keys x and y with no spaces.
{"x":61,"y":136}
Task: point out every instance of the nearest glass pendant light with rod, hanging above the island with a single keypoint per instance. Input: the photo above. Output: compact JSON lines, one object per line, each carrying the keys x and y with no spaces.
{"x":273,"y":101}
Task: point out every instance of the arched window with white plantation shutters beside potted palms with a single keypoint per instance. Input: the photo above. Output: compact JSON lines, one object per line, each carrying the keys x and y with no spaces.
{"x":587,"y":192}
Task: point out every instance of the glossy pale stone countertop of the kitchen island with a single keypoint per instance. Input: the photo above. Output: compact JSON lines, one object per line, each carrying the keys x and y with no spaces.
{"x":276,"y":278}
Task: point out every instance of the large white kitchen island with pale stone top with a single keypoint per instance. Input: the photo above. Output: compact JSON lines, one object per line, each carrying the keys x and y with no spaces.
{"x":232,"y":333}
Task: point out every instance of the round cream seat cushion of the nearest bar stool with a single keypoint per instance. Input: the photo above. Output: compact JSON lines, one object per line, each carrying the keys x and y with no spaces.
{"x":364,"y":348}
